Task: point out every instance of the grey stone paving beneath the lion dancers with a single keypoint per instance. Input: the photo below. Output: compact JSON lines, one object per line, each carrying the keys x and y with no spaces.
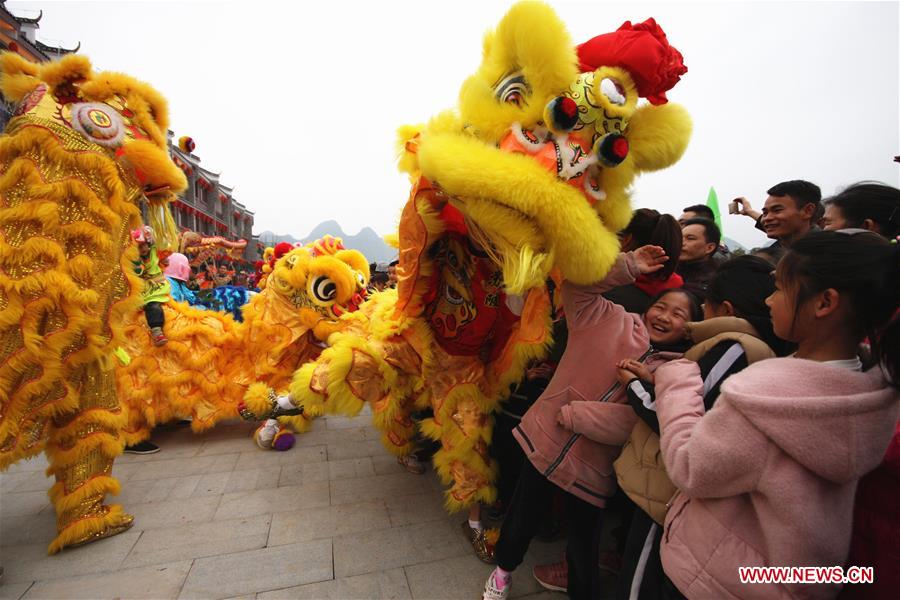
{"x":335,"y":517}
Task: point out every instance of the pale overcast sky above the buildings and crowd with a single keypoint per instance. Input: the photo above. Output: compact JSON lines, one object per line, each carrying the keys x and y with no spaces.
{"x":296,"y":104}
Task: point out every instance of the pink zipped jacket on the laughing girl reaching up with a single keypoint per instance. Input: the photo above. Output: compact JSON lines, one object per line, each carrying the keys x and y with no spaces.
{"x":600,"y":333}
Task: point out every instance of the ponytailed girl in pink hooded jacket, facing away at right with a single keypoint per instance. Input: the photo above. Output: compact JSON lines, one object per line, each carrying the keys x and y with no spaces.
{"x":767,"y":478}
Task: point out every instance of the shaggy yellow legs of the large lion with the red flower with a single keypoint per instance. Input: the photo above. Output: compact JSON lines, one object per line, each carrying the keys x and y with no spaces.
{"x":387,"y":373}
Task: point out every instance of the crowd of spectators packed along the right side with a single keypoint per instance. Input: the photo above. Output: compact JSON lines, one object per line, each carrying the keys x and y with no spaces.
{"x":706,"y":412}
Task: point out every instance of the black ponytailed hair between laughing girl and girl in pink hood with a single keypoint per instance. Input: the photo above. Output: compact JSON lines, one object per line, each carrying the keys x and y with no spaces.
{"x":745,"y":282}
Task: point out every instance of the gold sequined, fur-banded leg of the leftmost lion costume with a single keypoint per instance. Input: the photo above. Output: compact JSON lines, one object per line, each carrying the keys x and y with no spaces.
{"x":81,"y":449}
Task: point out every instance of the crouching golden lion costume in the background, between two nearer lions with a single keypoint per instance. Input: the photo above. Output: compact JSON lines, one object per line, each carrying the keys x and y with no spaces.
{"x":211,"y":362}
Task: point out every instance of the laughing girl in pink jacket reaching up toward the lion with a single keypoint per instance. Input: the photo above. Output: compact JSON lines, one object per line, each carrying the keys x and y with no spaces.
{"x":560,"y":457}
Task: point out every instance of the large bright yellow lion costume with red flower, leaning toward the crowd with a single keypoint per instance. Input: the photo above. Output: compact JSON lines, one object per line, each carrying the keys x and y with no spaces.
{"x":530,"y":176}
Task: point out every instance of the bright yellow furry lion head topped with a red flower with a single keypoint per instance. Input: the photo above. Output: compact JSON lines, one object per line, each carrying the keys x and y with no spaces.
{"x":547,"y":139}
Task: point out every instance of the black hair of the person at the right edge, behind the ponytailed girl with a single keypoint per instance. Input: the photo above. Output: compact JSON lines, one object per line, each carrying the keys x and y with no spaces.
{"x":870,"y":200}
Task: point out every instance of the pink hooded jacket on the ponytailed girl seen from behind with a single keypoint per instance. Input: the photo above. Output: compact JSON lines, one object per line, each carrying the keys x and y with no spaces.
{"x":768,"y":477}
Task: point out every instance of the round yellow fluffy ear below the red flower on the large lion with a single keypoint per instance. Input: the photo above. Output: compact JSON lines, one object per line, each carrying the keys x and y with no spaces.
{"x":658,"y":135}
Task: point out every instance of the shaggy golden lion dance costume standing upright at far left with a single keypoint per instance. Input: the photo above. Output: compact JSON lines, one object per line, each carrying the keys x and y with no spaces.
{"x":80,"y":153}
